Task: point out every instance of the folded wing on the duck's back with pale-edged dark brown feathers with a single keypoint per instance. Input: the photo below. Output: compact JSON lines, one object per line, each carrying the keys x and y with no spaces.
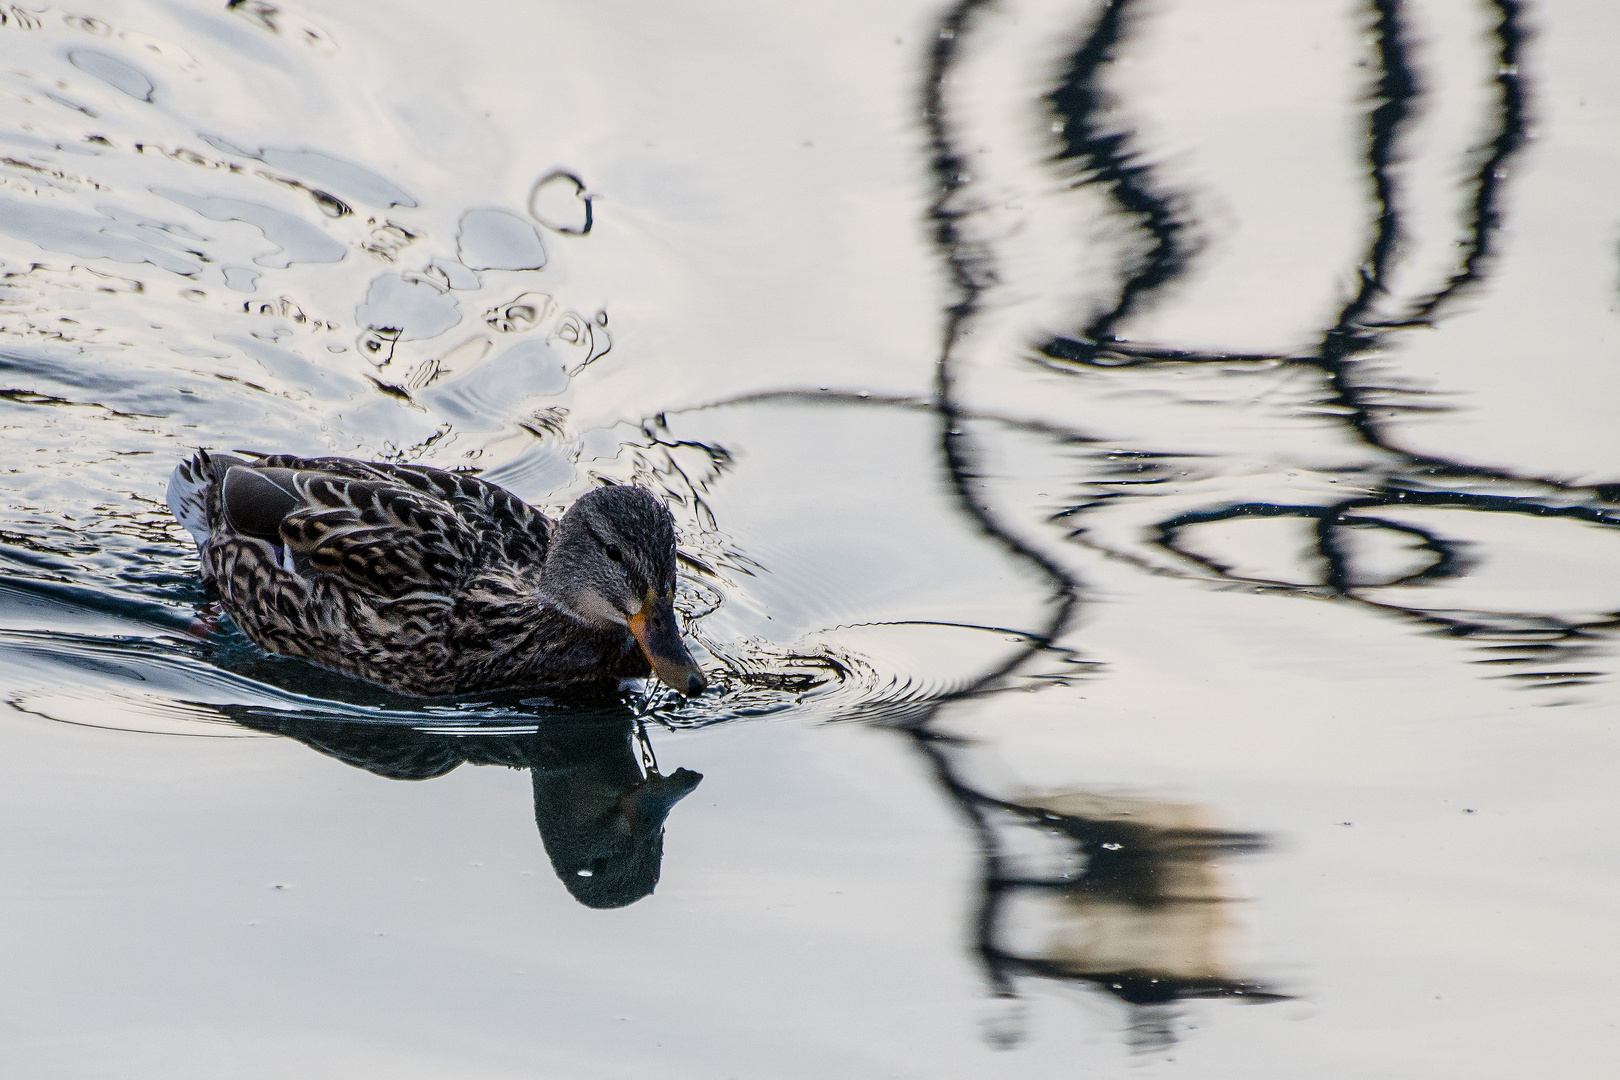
{"x":373,"y":532}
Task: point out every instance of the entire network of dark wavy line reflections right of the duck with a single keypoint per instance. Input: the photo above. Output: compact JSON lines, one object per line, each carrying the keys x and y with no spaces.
{"x":1104,"y":158}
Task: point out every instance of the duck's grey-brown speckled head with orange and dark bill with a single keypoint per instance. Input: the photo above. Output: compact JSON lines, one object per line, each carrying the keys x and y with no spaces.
{"x":612,"y":563}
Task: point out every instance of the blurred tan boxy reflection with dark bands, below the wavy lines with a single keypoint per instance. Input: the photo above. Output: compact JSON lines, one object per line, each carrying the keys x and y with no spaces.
{"x":1125,"y":893}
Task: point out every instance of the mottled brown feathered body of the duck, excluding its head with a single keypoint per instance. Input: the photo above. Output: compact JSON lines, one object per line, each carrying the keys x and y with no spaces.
{"x":416,"y":579}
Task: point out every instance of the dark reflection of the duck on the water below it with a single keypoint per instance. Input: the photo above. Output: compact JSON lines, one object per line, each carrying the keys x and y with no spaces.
{"x":600,"y":801}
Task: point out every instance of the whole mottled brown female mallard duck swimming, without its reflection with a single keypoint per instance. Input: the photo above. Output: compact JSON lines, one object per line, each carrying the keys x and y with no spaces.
{"x":432,"y":582}
